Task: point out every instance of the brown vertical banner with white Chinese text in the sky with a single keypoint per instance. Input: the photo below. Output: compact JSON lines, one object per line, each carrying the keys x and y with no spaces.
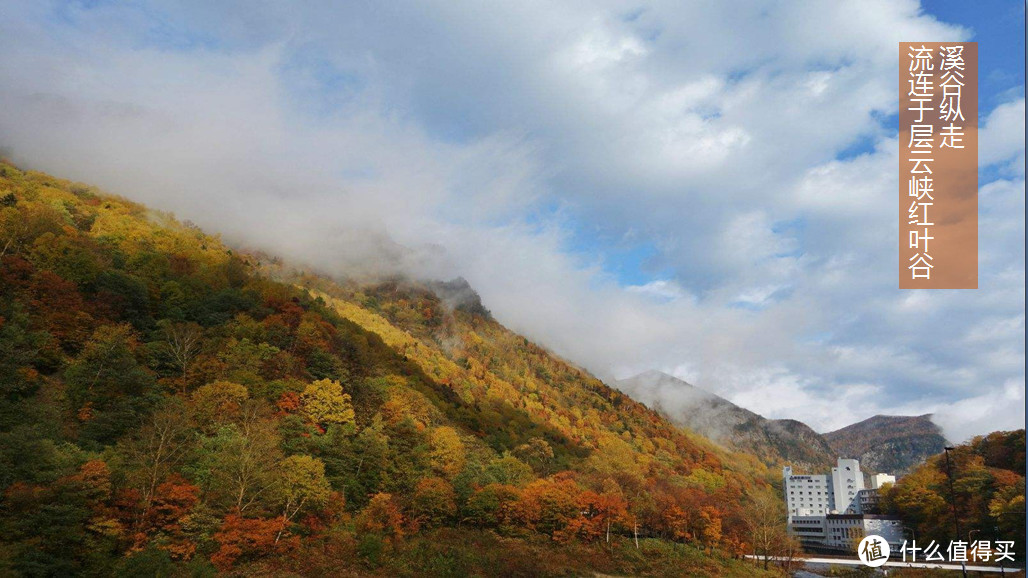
{"x":938,"y":165}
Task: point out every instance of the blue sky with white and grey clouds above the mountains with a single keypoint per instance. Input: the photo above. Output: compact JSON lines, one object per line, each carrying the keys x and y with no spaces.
{"x":705,"y":190}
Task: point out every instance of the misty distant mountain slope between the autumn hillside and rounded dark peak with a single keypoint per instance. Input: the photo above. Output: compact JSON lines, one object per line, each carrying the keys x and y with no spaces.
{"x":775,"y":442}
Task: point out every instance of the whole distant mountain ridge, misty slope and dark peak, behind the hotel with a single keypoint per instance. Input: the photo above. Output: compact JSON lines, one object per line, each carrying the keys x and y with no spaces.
{"x":883,"y":444}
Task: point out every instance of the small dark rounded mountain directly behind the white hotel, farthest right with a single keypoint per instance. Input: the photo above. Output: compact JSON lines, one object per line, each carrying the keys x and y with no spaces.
{"x":890,"y":444}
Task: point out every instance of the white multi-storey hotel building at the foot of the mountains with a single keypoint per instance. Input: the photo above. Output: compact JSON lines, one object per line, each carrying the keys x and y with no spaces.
{"x":829,"y":512}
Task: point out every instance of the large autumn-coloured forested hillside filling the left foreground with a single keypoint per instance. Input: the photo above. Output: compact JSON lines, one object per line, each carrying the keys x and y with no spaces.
{"x":171,"y":407}
